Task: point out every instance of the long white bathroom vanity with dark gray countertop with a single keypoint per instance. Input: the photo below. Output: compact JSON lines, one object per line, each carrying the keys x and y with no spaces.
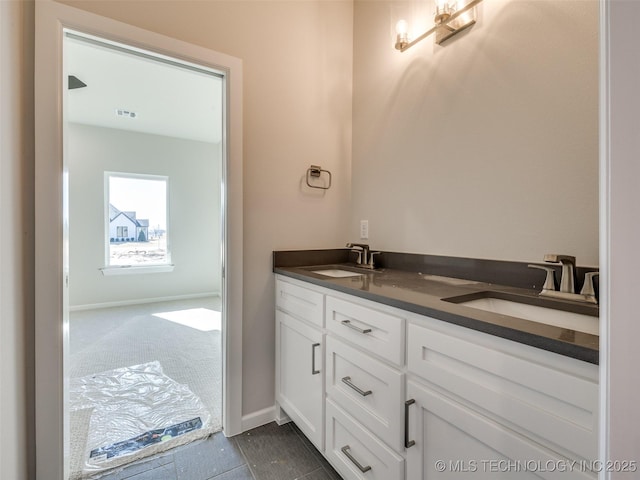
{"x":392,"y":375}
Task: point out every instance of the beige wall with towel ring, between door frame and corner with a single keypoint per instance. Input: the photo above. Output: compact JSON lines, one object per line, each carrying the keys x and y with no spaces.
{"x":297,"y":66}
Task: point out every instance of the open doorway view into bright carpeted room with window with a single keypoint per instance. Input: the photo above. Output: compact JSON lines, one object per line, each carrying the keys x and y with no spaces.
{"x":143,"y":147}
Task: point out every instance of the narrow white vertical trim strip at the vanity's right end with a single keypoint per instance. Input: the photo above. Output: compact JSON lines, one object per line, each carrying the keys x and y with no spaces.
{"x":605,"y":246}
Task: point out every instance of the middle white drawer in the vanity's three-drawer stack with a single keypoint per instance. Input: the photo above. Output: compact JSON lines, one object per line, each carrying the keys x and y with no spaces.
{"x":367,"y":389}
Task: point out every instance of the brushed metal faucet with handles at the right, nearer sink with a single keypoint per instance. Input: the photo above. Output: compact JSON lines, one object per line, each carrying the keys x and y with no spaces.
{"x":567,"y":280}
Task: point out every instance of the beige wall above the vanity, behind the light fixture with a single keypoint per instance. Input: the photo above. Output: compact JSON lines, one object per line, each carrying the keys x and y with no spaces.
{"x":485,"y":147}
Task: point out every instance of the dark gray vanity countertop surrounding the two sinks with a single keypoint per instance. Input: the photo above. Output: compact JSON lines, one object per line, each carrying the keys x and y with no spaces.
{"x":424,"y":293}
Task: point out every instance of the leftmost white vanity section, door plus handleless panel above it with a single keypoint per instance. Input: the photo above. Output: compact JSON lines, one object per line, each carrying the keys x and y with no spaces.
{"x":300,"y":358}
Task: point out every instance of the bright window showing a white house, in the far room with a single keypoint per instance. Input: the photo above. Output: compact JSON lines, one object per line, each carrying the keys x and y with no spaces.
{"x":137,"y":226}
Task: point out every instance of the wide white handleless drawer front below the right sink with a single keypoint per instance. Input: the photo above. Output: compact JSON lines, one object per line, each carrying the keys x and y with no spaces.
{"x":548,"y":402}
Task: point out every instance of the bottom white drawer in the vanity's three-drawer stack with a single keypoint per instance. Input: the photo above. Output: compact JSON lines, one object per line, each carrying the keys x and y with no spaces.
{"x":346,"y":438}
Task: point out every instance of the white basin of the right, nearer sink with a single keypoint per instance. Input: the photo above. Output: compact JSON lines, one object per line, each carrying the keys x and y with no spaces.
{"x":548,"y":316}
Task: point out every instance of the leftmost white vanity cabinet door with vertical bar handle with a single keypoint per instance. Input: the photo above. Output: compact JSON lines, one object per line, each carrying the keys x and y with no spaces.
{"x":299,"y":372}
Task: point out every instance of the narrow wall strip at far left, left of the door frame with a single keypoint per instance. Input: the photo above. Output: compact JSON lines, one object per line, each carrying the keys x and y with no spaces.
{"x":17,"y":448}
